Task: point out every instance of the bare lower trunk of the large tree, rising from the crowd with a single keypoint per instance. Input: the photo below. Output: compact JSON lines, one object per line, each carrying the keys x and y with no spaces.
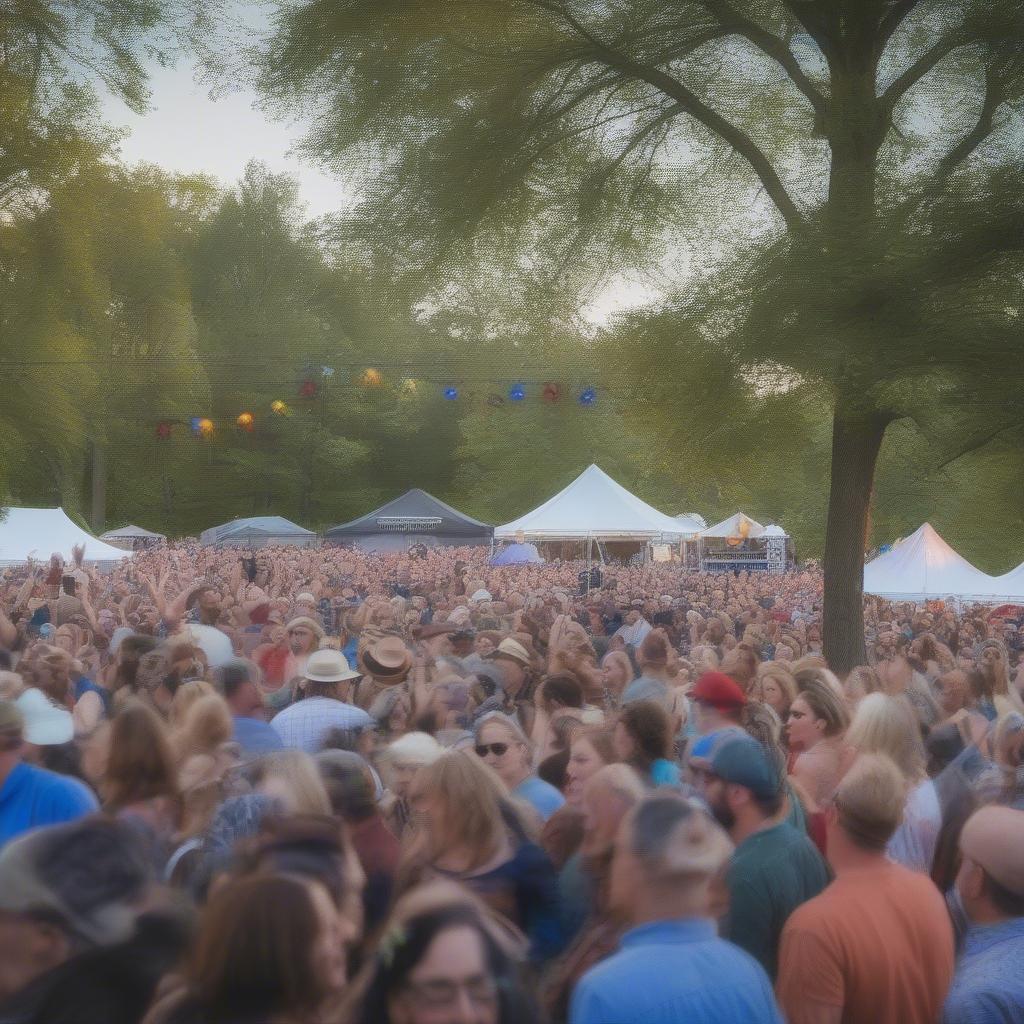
{"x":858,"y":434}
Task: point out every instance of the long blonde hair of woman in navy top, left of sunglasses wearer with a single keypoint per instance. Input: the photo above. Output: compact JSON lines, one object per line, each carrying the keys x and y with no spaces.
{"x":474,"y":797}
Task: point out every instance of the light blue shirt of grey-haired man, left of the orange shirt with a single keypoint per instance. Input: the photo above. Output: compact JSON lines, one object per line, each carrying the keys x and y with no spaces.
{"x":672,"y":971}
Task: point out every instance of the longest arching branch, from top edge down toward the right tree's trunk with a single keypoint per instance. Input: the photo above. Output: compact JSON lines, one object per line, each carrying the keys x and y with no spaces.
{"x":691,"y":104}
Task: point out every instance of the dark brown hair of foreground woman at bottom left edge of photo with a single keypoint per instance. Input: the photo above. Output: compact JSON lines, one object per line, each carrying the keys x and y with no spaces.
{"x":253,"y":956}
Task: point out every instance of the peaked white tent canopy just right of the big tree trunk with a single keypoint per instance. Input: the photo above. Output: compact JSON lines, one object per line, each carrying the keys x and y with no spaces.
{"x":924,"y":567}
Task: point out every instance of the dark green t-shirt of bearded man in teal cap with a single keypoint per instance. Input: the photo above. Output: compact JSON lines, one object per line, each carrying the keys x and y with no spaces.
{"x":773,"y":873}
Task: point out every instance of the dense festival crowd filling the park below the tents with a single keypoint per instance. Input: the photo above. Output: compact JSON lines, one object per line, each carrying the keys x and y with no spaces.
{"x":323,"y":787}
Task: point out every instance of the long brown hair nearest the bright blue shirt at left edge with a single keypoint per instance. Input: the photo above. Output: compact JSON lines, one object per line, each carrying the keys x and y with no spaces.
{"x":141,"y":765}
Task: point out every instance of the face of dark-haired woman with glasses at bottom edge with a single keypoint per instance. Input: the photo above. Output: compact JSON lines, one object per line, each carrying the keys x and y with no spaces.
{"x":451,"y":986}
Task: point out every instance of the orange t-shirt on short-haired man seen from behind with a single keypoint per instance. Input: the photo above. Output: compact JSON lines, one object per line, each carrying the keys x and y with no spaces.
{"x":877,"y":943}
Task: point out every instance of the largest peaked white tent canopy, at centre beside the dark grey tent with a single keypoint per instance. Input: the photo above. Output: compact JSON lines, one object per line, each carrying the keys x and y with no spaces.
{"x":592,"y":506}
